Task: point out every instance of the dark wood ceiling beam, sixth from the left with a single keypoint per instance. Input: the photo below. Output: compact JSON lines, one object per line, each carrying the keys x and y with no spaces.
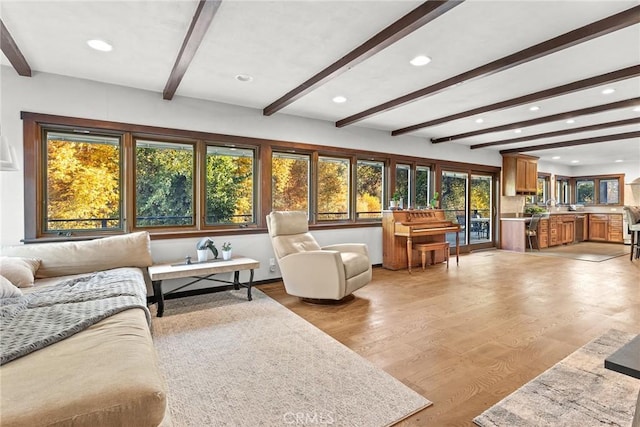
{"x":541,"y":120}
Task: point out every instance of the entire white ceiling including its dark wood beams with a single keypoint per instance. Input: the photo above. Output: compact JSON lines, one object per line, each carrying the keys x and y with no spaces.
{"x":490,"y":60}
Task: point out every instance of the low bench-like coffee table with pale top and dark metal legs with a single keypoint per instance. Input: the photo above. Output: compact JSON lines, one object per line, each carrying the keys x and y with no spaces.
{"x":201,"y":271}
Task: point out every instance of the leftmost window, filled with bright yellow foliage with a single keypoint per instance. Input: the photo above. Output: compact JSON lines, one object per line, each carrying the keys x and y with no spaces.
{"x":83,"y":182}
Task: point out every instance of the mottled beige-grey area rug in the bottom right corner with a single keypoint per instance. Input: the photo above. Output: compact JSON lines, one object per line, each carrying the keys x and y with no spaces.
{"x":578,"y":391}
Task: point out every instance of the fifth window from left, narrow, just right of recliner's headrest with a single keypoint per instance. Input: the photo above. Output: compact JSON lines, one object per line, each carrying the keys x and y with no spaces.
{"x":333,"y":189}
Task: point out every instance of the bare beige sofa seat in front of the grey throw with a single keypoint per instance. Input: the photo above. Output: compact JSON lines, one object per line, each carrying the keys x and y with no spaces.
{"x":106,"y":375}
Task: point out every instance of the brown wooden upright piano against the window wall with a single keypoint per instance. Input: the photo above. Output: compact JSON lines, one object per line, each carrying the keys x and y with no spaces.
{"x":402,"y":228}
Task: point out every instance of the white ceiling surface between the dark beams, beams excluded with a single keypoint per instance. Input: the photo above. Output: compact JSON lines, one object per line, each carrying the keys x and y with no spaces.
{"x":283,"y":43}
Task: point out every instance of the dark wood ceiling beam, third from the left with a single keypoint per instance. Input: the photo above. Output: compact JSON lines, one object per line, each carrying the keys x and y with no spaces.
{"x":423,"y":14}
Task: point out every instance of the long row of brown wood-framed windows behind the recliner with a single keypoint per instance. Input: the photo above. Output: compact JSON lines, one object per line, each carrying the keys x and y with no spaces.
{"x":178,"y":183}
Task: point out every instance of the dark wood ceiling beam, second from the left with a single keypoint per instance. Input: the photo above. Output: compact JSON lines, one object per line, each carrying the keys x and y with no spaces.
{"x":202,"y":18}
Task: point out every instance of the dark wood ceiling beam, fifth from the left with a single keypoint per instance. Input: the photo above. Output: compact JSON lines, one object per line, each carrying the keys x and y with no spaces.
{"x":565,"y":89}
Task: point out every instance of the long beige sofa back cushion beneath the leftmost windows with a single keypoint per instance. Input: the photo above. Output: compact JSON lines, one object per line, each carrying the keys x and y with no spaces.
{"x":66,"y":258}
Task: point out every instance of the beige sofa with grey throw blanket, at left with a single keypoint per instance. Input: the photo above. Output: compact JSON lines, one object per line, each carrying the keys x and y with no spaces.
{"x":104,"y":375}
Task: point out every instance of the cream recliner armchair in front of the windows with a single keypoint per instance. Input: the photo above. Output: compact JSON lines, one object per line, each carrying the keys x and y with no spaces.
{"x":312,"y":272}
